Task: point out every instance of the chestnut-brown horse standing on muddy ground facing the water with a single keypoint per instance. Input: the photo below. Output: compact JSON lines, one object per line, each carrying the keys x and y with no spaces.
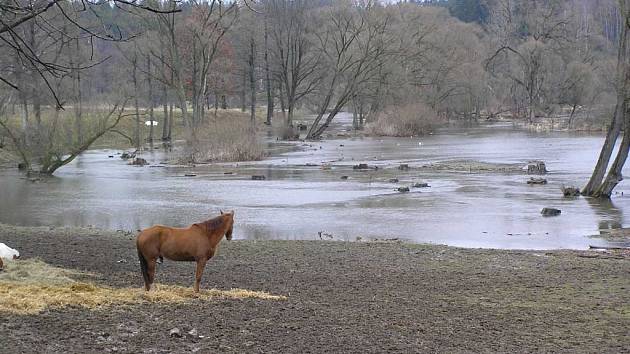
{"x":196,"y":243}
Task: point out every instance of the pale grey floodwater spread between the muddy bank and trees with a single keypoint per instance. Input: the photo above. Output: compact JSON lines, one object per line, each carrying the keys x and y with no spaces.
{"x":296,"y":201}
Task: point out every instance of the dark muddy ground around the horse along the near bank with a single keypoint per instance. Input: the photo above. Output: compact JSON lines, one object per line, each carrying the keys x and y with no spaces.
{"x":342,"y":297}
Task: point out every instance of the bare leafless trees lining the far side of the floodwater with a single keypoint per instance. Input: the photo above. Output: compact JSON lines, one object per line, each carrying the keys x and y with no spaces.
{"x":180,"y":61}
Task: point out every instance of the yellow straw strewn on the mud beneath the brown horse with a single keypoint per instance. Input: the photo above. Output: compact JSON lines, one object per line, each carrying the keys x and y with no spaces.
{"x":31,"y":286}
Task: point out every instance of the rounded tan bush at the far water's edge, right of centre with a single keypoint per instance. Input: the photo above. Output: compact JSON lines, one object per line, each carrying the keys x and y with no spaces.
{"x":407,"y":120}
